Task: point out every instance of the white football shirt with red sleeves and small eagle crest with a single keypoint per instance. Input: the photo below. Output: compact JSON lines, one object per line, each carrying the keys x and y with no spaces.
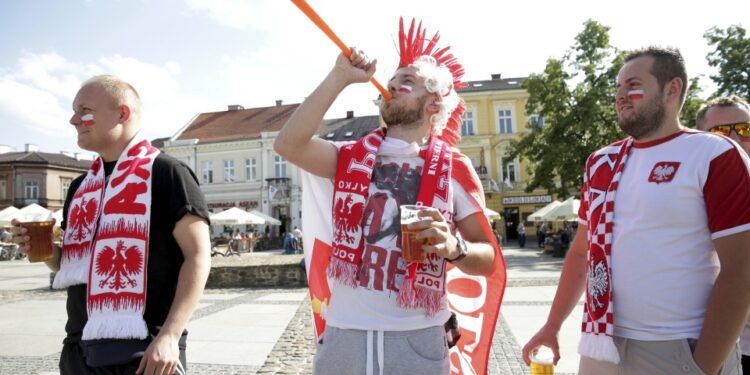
{"x":675,"y":196}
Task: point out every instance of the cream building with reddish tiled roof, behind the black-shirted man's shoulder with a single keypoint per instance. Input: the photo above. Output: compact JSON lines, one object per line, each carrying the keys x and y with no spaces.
{"x":231,"y":153}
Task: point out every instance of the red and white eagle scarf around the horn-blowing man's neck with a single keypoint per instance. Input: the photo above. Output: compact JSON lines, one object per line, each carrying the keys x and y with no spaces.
{"x":424,"y":285}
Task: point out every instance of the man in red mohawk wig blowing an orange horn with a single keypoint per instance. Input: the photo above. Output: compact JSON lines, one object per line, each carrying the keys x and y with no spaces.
{"x":386,"y":315}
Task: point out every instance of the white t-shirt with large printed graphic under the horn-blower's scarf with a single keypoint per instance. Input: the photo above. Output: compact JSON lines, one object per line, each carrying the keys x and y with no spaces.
{"x":373,"y":305}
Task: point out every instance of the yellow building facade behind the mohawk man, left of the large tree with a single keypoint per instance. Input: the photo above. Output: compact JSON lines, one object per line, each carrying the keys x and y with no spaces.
{"x":496,"y":114}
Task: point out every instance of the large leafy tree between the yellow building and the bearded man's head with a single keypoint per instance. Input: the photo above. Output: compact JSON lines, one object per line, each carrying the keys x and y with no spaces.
{"x":578,"y":117}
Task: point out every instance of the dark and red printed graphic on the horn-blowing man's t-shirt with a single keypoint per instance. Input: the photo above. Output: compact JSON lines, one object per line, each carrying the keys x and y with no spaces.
{"x":394,"y":184}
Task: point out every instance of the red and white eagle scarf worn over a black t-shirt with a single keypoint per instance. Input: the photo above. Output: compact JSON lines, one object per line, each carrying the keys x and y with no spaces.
{"x":105,"y":244}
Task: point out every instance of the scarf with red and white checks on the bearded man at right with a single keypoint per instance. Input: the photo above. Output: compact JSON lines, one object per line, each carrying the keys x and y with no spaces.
{"x":602,"y":177}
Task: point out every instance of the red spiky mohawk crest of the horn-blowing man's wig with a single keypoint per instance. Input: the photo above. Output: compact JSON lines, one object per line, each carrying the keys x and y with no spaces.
{"x":415,"y":45}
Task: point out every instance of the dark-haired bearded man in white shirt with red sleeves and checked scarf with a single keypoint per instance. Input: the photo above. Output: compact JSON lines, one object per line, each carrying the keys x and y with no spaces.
{"x":663,"y":245}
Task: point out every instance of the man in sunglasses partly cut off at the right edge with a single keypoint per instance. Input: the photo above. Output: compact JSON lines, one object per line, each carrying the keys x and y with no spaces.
{"x":730,"y":116}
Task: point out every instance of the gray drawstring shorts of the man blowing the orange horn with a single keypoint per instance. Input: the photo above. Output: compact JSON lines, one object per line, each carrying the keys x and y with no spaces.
{"x":349,"y":351}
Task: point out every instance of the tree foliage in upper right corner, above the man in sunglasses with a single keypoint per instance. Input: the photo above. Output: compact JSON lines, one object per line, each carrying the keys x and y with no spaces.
{"x":732,"y":49}
